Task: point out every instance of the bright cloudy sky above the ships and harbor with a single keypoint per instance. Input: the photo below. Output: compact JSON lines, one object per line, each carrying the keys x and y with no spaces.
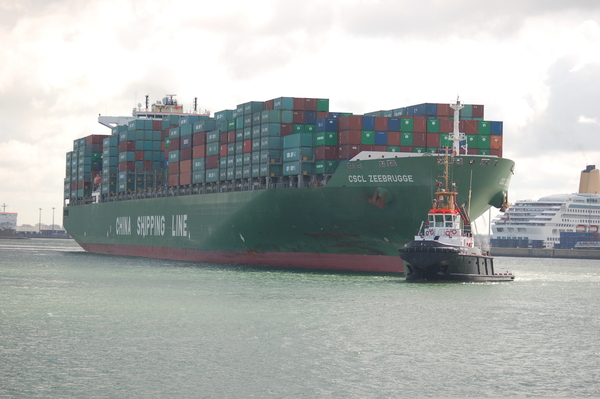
{"x":535,"y":65}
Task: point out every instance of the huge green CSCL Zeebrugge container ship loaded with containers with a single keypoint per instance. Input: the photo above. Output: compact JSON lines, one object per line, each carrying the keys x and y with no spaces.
{"x":278,"y":183}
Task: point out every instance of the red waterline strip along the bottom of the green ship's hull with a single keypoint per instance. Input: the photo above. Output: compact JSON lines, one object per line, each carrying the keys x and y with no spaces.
{"x":357,"y":263}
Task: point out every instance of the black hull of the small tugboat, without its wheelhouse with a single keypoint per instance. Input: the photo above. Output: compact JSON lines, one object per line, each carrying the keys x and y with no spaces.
{"x":435,"y":261}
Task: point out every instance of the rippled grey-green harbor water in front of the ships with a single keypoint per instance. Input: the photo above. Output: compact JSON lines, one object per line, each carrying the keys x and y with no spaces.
{"x":74,"y":325}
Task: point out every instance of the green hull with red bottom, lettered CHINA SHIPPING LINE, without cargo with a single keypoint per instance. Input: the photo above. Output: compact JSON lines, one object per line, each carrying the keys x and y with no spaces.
{"x":358,"y":221}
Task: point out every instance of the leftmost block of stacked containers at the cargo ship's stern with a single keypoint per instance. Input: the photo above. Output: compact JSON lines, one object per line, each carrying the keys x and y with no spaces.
{"x":84,"y":167}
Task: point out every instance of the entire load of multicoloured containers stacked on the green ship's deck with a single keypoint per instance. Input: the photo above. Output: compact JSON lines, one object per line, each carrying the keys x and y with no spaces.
{"x":279,"y":138}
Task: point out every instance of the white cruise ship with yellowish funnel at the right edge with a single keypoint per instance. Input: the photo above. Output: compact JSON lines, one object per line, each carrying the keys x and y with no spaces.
{"x":539,"y":224}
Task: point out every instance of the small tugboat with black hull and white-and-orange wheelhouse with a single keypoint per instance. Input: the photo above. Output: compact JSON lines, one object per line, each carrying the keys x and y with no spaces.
{"x":444,"y":248}
